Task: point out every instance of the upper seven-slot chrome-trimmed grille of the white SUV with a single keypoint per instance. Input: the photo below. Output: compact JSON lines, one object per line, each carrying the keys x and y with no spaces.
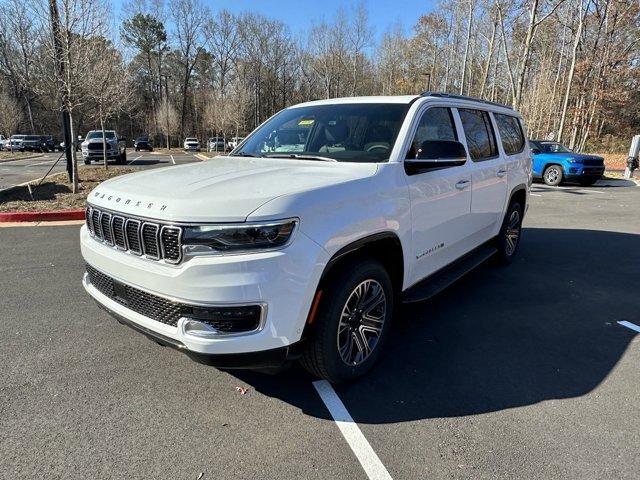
{"x":154,"y":240}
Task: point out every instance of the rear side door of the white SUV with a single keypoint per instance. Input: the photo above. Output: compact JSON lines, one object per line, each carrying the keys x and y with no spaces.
{"x":488,"y":173}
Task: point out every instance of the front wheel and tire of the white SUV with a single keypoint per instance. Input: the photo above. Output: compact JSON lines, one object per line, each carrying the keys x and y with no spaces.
{"x":322,"y":356}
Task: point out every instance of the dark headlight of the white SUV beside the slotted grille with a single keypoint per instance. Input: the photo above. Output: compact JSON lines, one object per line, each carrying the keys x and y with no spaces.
{"x":240,"y":237}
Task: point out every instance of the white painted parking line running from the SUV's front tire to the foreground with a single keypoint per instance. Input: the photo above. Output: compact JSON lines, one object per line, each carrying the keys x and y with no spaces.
{"x":372,"y":465}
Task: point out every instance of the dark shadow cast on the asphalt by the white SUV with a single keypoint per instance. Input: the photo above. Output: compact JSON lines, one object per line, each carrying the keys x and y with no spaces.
{"x":503,"y":337}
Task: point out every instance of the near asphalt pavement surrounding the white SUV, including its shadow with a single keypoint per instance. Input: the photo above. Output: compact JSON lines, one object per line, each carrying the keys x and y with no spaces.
{"x":516,"y":372}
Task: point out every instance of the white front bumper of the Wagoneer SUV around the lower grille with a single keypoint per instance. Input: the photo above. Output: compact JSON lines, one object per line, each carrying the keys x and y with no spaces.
{"x":284,"y":281}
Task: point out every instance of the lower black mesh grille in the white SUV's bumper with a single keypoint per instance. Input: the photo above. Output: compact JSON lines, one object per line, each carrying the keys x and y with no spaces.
{"x":225,"y":319}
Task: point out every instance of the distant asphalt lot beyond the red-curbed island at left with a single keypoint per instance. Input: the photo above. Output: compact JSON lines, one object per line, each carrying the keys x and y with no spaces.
{"x":18,"y":171}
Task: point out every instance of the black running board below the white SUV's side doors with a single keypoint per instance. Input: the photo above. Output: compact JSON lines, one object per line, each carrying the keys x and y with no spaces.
{"x":436,"y":283}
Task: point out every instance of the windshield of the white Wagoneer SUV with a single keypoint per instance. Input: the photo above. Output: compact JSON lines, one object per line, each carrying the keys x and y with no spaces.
{"x":362,"y":132}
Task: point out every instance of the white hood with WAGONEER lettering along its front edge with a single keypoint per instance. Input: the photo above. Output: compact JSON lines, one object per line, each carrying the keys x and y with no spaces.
{"x":225,"y":189}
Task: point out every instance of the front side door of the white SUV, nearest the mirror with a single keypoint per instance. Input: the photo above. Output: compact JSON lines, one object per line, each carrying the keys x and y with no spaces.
{"x":440,"y":199}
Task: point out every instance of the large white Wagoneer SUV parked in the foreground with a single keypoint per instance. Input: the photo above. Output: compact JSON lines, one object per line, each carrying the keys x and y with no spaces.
{"x":300,"y":245}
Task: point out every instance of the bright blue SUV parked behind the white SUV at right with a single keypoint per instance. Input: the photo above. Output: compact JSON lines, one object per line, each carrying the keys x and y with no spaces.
{"x":555,"y":163}
